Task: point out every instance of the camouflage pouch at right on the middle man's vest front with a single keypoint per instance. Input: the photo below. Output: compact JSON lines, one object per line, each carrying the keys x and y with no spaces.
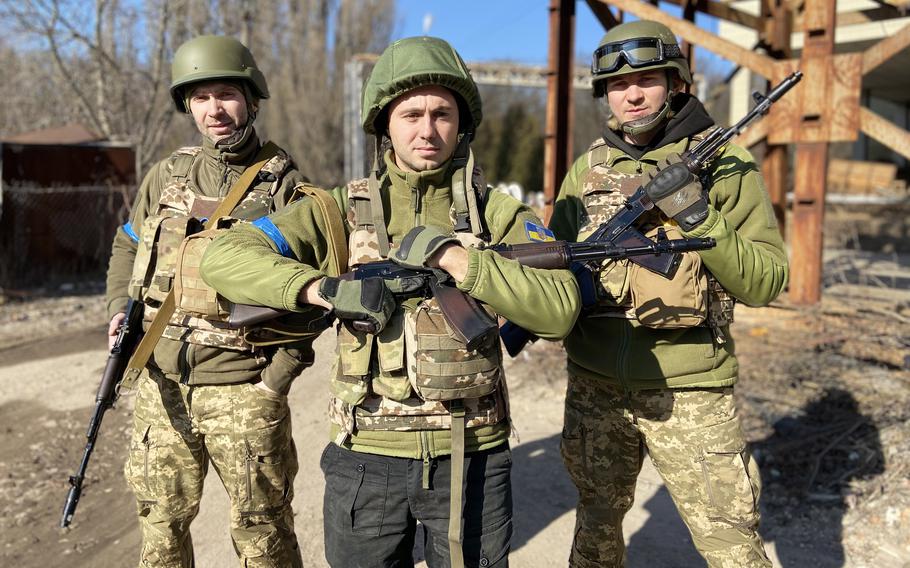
{"x":440,"y":366}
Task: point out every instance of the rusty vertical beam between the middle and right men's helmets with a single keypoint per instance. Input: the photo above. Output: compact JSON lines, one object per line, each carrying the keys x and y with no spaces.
{"x":558,"y":137}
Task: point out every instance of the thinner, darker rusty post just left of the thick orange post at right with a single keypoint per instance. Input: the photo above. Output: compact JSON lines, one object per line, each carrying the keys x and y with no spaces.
{"x":775,"y":165}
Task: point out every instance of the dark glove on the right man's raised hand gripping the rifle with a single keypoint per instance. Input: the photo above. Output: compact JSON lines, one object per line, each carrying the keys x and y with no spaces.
{"x":678,"y":193}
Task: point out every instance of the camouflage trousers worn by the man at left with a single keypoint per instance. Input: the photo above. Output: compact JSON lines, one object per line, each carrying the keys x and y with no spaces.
{"x":246,"y":434}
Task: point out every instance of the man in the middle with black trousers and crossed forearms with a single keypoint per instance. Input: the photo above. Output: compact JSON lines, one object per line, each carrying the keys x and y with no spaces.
{"x":410,"y":400}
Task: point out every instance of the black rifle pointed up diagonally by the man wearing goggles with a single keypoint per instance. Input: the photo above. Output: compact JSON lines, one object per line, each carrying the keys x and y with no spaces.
{"x":620,"y":230}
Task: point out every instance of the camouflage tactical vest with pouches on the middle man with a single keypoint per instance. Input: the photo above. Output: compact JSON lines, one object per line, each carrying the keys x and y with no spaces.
{"x":407,"y":376}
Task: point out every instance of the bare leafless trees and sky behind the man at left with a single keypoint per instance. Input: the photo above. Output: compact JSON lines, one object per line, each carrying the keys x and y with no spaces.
{"x":106,"y":64}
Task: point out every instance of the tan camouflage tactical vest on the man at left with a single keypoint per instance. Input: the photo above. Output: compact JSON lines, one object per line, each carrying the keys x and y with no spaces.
{"x":166,"y":257}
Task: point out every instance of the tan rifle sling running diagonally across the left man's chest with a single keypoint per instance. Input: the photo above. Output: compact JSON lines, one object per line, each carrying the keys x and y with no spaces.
{"x":148,"y":342}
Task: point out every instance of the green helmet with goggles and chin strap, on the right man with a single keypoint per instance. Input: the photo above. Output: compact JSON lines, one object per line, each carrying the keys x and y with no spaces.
{"x":635,"y":46}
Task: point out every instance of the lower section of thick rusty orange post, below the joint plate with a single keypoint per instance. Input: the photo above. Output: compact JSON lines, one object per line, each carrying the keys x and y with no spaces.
{"x":807,"y":220}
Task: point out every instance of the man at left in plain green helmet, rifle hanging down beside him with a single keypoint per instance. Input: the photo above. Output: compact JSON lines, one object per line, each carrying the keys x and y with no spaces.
{"x":208,"y":395}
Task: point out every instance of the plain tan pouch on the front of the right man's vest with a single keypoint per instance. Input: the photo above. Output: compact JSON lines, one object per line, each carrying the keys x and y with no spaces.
{"x":675,"y":303}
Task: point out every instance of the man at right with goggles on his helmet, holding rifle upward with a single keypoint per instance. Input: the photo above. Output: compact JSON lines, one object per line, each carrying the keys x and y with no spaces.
{"x":651,"y":361}
